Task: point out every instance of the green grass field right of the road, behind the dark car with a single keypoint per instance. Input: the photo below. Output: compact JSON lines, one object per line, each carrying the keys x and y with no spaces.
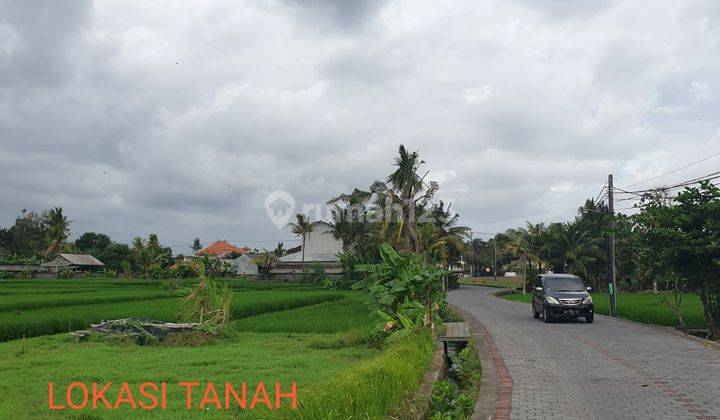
{"x":647,"y":308}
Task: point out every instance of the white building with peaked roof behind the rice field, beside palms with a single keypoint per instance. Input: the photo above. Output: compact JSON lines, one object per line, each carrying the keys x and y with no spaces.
{"x":320,"y":247}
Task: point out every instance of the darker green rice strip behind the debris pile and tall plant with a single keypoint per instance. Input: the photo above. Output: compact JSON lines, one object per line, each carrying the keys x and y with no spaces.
{"x":45,"y":321}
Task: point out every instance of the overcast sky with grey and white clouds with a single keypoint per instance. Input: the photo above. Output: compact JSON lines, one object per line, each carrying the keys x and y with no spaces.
{"x":179,"y":118}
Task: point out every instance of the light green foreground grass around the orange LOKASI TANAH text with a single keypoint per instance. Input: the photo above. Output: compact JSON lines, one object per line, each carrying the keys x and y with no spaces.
{"x":28,"y":366}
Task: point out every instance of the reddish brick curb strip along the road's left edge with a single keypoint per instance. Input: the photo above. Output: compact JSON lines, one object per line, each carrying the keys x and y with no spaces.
{"x":495,"y":396}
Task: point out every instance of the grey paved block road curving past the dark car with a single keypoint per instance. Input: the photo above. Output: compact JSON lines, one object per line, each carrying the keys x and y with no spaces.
{"x":607,"y":370}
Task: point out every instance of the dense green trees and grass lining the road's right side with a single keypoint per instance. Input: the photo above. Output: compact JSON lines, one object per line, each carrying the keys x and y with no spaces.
{"x":671,"y":244}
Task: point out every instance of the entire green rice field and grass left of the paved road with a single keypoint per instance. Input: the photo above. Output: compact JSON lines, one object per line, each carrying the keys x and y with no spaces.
{"x":297,"y":334}
